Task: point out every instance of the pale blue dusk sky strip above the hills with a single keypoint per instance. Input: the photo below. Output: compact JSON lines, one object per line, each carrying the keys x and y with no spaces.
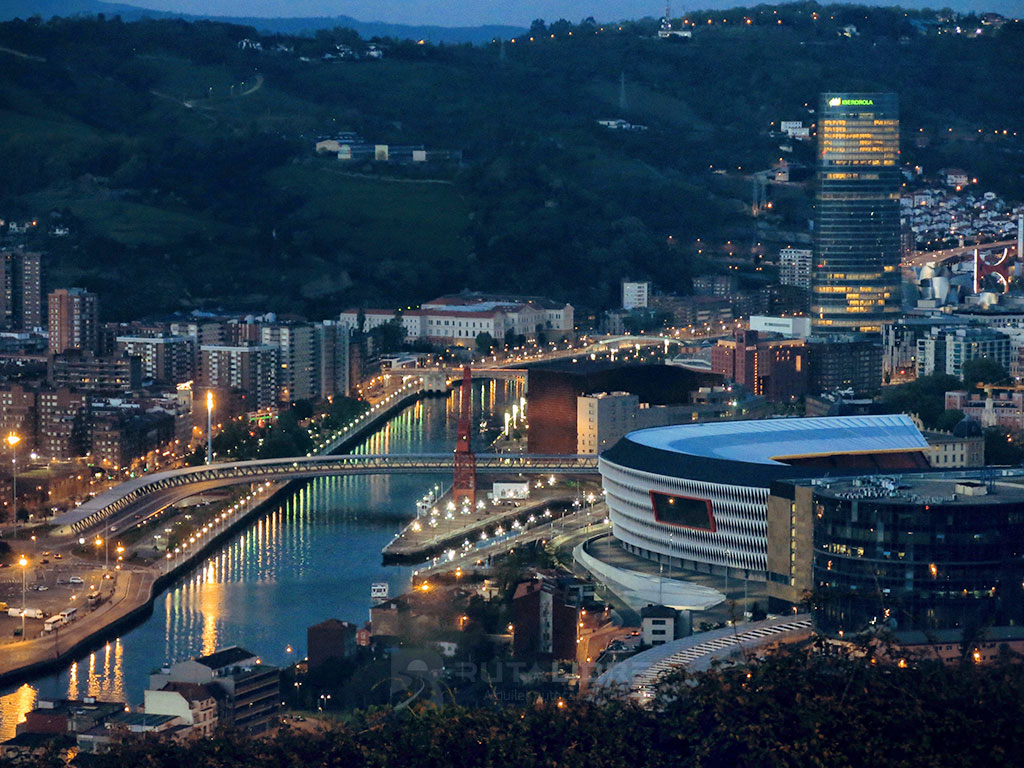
{"x":473,"y":13}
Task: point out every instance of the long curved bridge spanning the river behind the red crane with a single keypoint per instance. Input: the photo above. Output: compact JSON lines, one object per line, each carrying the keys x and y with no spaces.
{"x":174,"y":486}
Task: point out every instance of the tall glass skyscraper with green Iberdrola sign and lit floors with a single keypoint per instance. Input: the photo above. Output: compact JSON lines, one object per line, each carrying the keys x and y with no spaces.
{"x":856,"y":278}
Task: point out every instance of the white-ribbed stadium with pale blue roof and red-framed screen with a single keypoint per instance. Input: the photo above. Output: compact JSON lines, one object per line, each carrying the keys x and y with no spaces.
{"x":698,"y":494}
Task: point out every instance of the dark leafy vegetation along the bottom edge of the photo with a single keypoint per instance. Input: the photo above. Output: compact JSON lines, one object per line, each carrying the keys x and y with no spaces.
{"x":792,"y":709}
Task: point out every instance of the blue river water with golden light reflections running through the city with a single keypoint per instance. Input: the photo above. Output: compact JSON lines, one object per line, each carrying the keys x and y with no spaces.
{"x":314,"y":557}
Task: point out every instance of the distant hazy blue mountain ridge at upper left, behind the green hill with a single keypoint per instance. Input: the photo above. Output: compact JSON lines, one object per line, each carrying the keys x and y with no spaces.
{"x":287,"y":26}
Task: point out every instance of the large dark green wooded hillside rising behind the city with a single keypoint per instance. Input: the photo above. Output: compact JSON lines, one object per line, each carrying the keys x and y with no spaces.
{"x":184,"y":165}
